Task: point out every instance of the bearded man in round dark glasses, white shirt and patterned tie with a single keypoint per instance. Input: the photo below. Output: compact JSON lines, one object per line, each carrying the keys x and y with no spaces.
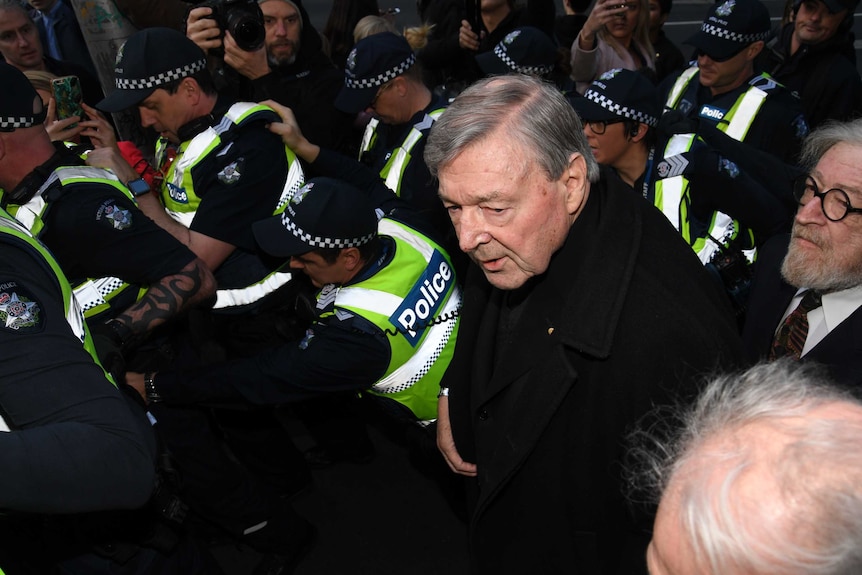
{"x":807,"y":291}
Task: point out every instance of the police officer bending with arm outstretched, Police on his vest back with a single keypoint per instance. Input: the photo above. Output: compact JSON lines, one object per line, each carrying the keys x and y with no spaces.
{"x":386,"y":313}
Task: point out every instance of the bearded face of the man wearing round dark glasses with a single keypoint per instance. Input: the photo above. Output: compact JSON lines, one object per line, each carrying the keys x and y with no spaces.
{"x":826,"y":255}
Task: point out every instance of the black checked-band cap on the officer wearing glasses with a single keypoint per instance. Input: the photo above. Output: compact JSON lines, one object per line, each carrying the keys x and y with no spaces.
{"x":619,"y":93}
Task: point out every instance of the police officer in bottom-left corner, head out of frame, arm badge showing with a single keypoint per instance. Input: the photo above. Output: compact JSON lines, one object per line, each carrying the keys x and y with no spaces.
{"x":78,"y":456}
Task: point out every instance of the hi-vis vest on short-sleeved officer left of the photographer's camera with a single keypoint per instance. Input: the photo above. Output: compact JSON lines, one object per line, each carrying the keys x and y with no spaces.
{"x":181,"y":202}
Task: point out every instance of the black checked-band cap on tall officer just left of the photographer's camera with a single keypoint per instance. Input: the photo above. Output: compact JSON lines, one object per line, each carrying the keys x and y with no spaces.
{"x":149,"y":59}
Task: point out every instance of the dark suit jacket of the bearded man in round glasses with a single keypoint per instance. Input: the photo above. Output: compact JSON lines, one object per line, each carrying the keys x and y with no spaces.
{"x":840,"y":351}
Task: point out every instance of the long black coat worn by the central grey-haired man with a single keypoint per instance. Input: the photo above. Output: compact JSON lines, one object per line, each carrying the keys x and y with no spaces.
{"x":624,"y":319}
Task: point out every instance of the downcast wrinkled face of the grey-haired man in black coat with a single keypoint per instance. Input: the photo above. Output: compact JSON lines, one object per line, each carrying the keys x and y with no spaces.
{"x":509,"y":217}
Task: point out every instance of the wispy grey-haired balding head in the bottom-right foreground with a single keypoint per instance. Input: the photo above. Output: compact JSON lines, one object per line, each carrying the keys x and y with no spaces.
{"x":816,"y":475}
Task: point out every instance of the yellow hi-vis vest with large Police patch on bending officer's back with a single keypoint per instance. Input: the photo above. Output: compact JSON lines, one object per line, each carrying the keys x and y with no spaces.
{"x":419,"y":357}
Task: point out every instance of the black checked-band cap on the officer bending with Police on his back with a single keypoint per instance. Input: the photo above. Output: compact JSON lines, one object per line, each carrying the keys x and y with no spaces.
{"x":324,"y":213}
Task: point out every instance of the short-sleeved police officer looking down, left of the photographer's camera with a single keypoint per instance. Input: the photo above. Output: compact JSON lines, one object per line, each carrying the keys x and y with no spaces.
{"x":223,"y":170}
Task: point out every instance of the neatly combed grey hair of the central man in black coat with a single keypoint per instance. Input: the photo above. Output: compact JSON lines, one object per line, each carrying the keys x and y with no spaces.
{"x":533,"y":113}
